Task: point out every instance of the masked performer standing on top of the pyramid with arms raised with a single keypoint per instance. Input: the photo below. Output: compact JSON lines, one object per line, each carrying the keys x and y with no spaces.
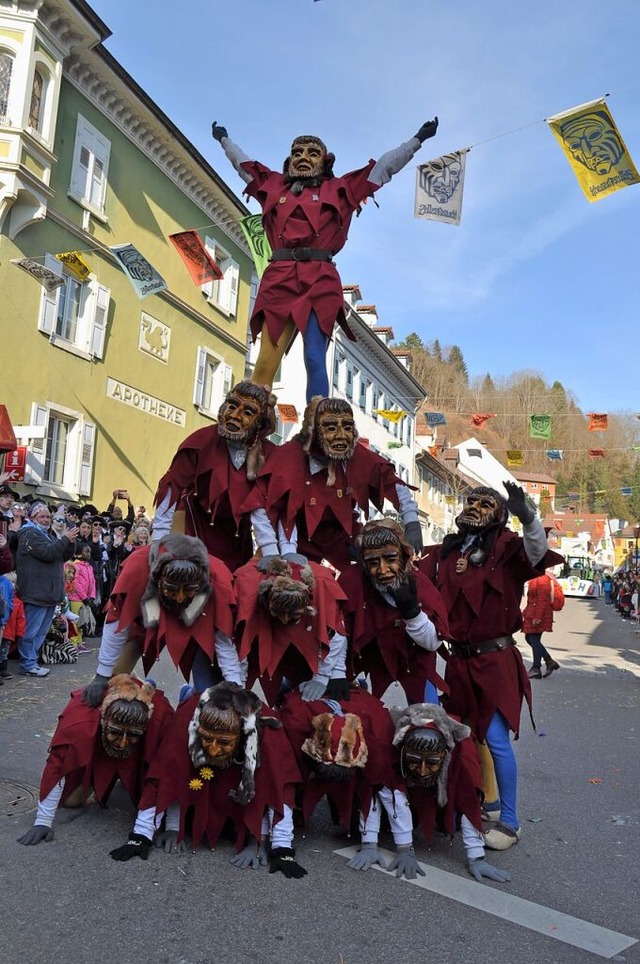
{"x":306,"y":212}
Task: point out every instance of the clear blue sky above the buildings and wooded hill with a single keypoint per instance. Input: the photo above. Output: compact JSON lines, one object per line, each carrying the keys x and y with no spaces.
{"x":535,"y":277}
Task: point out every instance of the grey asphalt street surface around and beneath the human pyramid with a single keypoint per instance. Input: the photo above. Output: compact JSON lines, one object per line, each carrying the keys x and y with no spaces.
{"x":575,"y":873}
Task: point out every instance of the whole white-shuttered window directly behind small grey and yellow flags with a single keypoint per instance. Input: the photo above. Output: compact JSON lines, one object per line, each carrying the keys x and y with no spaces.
{"x":75,"y":314}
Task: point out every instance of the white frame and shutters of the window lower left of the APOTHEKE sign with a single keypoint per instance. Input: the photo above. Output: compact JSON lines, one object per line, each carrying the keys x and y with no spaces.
{"x":79,"y":457}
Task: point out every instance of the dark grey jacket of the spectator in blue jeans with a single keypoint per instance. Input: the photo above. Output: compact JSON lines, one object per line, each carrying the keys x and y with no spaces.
{"x":39,"y":565}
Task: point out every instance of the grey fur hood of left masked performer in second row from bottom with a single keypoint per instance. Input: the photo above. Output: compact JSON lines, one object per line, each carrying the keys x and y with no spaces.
{"x":176,"y":546}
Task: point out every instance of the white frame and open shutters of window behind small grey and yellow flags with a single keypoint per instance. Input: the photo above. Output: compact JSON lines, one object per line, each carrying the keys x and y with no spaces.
{"x":93,"y":315}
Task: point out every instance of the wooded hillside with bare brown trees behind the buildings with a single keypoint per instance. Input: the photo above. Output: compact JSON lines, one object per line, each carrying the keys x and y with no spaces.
{"x":588,"y":483}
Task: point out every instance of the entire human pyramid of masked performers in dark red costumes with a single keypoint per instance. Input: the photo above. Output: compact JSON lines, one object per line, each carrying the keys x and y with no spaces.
{"x":265,"y":570}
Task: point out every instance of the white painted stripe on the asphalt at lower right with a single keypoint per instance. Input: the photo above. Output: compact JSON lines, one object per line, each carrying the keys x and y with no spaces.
{"x":544,"y":920}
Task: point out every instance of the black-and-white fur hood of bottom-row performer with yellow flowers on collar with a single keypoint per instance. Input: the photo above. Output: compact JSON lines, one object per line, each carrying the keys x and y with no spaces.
{"x":247,"y":705}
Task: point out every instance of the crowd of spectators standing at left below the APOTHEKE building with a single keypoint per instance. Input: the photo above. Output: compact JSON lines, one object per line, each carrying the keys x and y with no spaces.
{"x":58,"y":564}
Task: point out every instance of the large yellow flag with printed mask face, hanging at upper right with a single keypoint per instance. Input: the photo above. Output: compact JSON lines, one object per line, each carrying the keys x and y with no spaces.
{"x":594,"y":148}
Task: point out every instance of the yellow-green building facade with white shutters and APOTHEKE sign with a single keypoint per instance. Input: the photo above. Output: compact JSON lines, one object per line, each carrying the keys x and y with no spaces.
{"x":101,"y":385}
